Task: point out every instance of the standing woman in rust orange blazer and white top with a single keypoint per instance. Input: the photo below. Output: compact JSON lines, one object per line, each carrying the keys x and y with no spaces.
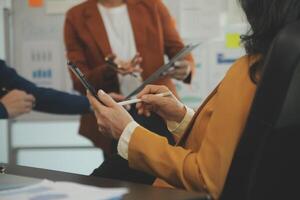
{"x":96,"y":29}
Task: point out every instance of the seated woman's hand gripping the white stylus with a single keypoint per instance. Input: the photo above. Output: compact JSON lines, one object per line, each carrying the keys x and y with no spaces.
{"x":169,"y":108}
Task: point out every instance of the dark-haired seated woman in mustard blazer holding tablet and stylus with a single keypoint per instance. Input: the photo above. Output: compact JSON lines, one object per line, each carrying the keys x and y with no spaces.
{"x":208,"y":138}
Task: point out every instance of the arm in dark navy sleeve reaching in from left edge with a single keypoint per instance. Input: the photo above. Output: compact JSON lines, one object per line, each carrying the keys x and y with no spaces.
{"x":47,"y":100}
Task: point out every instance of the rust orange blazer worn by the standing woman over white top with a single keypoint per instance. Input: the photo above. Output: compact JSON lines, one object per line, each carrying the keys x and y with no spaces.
{"x":87,"y":45}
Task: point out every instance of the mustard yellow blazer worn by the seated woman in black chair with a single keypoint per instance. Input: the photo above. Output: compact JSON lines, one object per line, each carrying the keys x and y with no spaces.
{"x":202,"y":158}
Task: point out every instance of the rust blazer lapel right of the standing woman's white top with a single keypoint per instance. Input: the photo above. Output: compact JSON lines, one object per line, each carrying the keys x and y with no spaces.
{"x":137,"y":23}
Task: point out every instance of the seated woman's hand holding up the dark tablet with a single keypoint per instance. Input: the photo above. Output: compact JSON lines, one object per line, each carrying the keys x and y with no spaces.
{"x":112,"y":118}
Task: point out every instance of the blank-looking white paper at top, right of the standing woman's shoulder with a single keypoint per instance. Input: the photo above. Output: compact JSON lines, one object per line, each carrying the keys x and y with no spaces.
{"x":200,"y":18}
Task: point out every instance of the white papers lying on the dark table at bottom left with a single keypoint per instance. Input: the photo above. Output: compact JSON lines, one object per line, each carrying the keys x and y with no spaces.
{"x":47,"y":190}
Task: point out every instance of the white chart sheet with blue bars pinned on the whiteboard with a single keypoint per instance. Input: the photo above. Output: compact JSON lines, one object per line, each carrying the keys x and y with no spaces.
{"x":40,"y":63}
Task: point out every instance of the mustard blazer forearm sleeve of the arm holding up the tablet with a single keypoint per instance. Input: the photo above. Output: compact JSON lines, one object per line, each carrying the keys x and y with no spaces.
{"x":177,"y":166}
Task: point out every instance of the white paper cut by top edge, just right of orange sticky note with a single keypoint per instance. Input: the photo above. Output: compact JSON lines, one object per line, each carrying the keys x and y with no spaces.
{"x":60,"y":6}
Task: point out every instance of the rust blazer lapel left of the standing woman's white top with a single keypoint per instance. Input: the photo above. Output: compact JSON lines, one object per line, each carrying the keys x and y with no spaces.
{"x":96,"y":27}
